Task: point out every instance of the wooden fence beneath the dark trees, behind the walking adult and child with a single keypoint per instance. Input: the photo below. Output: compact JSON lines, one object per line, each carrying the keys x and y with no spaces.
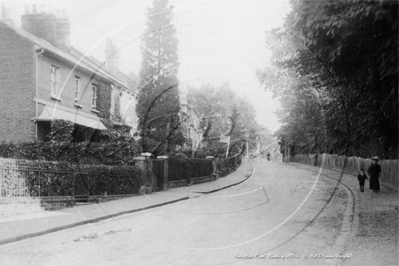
{"x":389,"y":175}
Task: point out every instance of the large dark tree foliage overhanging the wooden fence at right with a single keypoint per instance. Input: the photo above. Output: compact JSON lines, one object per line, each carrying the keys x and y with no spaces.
{"x":335,"y":70}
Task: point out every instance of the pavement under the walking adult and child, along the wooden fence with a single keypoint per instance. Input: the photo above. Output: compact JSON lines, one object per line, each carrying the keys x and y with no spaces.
{"x":374,"y":237}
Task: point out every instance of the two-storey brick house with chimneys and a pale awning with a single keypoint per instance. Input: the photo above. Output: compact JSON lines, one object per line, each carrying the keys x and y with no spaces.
{"x":43,"y":77}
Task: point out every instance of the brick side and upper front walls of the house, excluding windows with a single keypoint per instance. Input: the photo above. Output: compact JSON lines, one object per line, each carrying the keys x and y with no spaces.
{"x":22,"y":71}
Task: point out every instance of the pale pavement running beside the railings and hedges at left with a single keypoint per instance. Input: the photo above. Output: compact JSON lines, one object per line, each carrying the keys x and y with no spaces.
{"x":21,"y":227}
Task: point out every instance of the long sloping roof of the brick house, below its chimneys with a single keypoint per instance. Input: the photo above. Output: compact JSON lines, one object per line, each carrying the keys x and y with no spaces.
{"x":75,"y":57}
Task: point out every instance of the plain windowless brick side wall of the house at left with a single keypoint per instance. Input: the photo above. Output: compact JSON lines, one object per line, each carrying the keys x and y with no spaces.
{"x":17,"y":87}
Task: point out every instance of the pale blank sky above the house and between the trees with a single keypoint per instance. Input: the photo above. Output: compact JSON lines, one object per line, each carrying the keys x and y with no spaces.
{"x":219,"y":40}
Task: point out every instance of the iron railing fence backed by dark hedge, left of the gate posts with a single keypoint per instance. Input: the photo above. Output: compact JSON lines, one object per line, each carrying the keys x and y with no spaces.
{"x":21,"y":178}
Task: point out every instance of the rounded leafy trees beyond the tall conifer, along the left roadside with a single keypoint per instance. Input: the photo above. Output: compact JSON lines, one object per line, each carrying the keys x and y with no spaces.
{"x":224,"y":113}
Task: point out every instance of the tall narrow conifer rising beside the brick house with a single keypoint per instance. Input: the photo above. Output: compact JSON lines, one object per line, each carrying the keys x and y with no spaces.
{"x":158,"y":100}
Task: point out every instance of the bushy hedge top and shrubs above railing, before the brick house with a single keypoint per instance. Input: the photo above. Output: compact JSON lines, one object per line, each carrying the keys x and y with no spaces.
{"x":116,"y":147}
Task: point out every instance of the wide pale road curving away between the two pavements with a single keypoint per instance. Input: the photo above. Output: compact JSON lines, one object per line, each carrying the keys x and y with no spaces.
{"x":282,"y":215}
